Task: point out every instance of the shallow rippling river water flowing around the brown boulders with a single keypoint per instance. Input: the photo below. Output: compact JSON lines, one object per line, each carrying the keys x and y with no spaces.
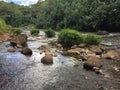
{"x":21,"y":72}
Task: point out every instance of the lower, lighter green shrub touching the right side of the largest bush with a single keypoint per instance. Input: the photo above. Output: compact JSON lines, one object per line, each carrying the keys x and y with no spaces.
{"x":92,"y":39}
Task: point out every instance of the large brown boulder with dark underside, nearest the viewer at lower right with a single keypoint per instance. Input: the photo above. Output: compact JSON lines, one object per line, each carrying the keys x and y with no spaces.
{"x":92,"y":62}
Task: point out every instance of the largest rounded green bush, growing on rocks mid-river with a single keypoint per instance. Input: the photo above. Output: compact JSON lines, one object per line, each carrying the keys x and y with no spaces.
{"x":69,"y":37}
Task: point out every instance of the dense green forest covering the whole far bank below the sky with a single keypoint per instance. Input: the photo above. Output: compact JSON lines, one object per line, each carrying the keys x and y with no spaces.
{"x":82,"y":15}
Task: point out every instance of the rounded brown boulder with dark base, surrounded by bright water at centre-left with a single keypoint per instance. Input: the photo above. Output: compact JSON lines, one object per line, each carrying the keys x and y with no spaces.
{"x":47,"y":59}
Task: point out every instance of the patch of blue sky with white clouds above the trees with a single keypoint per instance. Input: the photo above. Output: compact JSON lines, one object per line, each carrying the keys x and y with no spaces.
{"x":22,"y":2}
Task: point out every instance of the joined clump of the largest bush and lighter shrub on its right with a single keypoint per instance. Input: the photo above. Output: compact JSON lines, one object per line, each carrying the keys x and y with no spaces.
{"x":68,"y":38}
